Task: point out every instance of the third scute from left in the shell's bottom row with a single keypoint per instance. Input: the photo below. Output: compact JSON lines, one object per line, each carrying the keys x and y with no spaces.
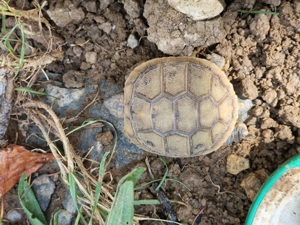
{"x":201,"y":141}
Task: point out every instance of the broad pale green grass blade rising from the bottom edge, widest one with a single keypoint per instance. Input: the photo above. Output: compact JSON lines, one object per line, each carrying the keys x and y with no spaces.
{"x":122,"y":210}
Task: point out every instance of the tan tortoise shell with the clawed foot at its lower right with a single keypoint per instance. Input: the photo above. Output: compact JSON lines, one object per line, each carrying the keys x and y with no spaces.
{"x":180,"y":107}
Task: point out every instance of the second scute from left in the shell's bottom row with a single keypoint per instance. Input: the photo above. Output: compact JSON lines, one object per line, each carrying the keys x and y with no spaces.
{"x":177,"y":145}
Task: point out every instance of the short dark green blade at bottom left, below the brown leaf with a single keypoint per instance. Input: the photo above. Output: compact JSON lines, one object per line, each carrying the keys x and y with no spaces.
{"x":29,"y":203}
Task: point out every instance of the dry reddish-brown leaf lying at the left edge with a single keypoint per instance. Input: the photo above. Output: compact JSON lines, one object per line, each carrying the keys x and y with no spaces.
{"x":16,"y":160}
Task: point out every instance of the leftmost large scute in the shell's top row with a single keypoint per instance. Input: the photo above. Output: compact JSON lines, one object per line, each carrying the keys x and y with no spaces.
{"x":149,"y":83}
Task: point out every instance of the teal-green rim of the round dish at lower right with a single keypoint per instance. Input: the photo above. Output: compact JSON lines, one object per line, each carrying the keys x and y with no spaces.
{"x":290,"y":164}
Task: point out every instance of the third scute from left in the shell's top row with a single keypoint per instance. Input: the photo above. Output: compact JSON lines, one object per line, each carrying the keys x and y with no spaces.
{"x":199,"y":81}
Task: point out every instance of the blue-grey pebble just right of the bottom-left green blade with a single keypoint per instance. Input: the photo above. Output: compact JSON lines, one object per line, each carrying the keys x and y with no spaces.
{"x":43,"y":187}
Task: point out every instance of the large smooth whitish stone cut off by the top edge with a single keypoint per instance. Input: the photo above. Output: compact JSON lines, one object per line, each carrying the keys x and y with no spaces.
{"x":198,"y":9}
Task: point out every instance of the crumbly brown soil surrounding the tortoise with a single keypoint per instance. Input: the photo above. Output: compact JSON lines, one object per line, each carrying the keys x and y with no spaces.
{"x":263,"y":52}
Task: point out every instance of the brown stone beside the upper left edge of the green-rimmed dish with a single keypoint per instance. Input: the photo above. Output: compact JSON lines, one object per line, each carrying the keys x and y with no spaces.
{"x":252,"y":183}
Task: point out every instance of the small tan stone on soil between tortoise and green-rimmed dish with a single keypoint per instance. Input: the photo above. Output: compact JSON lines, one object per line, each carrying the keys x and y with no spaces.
{"x":236,"y":164}
